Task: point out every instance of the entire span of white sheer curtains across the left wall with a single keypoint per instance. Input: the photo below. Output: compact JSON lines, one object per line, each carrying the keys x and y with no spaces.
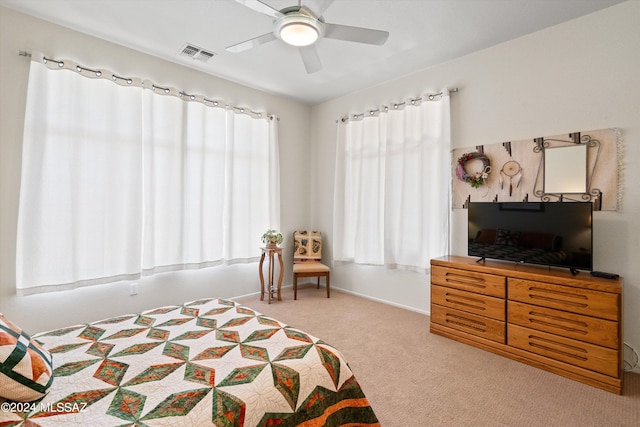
{"x":119,"y":181}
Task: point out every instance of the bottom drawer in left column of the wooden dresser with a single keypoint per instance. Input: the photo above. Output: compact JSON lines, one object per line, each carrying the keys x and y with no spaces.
{"x":481,"y":326}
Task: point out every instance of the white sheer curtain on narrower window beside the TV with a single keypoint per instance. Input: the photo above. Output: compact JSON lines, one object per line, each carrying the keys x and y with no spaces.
{"x":392,"y":186}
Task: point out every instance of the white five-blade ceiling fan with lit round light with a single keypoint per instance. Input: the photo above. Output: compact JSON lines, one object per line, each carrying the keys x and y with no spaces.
{"x":302,"y":26}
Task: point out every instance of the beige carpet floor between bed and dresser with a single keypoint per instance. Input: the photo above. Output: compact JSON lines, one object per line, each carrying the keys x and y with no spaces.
{"x":413,"y":378}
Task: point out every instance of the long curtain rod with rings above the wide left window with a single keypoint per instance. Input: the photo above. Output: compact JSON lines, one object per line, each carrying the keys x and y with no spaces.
{"x":139,"y":82}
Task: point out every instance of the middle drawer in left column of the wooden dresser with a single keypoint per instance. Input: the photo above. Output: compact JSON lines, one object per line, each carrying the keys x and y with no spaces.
{"x":482,"y":305}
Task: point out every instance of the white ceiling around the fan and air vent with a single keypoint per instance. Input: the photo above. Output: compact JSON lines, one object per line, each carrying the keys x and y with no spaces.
{"x":422,"y":33}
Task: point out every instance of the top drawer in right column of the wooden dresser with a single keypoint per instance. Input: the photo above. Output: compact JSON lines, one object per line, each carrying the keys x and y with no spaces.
{"x":576,"y":300}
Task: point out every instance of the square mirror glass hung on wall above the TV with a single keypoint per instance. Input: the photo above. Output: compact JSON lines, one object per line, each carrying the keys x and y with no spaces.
{"x":565,"y":169}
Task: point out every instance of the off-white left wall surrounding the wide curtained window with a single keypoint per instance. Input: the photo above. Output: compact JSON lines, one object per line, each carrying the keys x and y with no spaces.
{"x":46,"y":311}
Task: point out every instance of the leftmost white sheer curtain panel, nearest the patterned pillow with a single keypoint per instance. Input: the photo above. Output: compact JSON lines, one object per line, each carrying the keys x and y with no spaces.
{"x":80,"y":215}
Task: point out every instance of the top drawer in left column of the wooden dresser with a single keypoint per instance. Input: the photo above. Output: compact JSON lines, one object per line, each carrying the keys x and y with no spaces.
{"x":481,"y":283}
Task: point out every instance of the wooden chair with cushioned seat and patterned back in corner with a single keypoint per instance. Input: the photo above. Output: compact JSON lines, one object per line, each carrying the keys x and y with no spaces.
{"x":307,"y":253}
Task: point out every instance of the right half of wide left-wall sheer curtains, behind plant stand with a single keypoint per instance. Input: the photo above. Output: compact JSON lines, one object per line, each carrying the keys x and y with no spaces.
{"x":207,"y":180}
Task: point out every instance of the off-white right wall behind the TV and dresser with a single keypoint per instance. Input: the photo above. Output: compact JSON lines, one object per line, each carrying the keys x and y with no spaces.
{"x":578,"y":76}
